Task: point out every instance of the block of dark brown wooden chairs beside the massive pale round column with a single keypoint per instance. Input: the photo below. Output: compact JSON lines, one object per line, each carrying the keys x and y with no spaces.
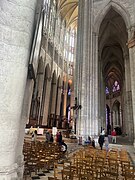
{"x":40,"y":156}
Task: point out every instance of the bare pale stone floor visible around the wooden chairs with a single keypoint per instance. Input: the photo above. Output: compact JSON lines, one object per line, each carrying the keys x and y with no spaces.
{"x":122,"y":142}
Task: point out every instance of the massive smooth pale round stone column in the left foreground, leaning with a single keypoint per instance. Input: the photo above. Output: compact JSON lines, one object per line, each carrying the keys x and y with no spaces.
{"x":16,"y":23}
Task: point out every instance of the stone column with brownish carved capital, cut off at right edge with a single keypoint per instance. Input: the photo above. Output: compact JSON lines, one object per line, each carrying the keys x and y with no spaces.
{"x":131,"y":45}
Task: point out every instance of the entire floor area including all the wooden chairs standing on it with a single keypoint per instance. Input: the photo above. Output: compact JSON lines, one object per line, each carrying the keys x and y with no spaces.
{"x":79,"y":162}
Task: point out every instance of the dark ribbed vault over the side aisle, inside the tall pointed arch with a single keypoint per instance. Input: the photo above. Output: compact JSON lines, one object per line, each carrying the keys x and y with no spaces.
{"x":112,"y":43}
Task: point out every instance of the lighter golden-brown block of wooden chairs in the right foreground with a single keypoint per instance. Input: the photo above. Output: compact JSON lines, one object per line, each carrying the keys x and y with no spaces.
{"x":94,"y":164}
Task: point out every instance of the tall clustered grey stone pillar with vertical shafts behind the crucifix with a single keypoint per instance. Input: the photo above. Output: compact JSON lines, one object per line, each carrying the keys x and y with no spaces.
{"x":87,"y":70}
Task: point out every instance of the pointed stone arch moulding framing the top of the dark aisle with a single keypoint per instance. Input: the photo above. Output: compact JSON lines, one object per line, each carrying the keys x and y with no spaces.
{"x":118,"y":8}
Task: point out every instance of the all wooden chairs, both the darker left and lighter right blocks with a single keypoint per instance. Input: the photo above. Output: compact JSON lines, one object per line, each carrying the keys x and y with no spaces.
{"x":86,"y":163}
